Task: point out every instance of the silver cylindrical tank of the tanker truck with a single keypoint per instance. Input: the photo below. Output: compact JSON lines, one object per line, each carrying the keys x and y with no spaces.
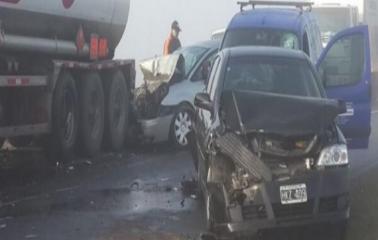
{"x":56,"y":22}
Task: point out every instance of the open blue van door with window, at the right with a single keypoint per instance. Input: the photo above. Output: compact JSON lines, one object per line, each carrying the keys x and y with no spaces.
{"x":345,"y":70}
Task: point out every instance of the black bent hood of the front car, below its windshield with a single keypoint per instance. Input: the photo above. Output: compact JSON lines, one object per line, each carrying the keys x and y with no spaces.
{"x":284,"y":115}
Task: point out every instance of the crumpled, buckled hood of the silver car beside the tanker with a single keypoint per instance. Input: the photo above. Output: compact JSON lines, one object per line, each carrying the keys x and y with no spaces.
{"x":162,"y":69}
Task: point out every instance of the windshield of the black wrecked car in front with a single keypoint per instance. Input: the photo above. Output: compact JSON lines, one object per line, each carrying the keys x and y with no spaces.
{"x":278,"y":75}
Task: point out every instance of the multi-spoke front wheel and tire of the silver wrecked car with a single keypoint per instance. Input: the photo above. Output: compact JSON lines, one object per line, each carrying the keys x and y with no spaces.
{"x":183,"y":112}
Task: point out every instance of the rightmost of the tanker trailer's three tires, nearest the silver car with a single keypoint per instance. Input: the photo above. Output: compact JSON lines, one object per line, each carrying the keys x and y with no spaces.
{"x":117,"y":111}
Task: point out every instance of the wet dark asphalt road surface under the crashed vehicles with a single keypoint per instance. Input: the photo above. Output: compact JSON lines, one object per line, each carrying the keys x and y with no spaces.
{"x":141,"y":194}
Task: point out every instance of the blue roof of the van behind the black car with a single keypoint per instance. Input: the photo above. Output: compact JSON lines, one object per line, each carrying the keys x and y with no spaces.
{"x":290,"y":19}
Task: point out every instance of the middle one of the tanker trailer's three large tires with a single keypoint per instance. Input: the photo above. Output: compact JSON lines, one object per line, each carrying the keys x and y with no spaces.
{"x":92,"y":112}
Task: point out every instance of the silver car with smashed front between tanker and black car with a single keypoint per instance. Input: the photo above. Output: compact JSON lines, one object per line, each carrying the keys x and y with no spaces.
{"x":165,"y":100}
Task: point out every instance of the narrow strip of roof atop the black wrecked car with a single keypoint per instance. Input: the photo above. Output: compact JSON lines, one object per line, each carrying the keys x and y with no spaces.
{"x":245,"y":51}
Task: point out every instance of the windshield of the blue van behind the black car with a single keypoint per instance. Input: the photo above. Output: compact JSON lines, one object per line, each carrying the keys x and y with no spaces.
{"x":260,"y":37}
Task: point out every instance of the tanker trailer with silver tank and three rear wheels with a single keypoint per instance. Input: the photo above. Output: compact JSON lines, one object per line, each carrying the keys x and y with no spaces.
{"x":59,"y":86}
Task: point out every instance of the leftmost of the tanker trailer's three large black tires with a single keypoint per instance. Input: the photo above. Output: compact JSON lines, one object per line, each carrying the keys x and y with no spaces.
{"x":65,"y":117}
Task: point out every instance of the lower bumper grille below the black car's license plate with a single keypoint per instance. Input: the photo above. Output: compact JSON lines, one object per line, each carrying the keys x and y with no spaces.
{"x":293,"y":210}
